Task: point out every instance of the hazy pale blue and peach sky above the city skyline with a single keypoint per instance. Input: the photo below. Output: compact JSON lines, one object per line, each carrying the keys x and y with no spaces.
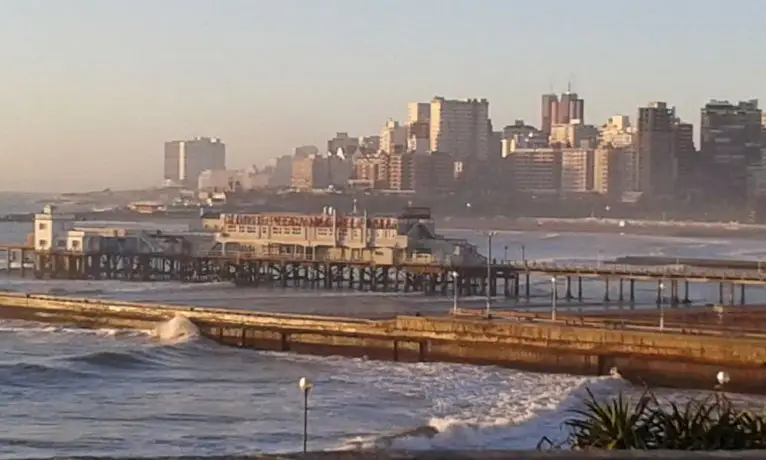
{"x":91,"y":88}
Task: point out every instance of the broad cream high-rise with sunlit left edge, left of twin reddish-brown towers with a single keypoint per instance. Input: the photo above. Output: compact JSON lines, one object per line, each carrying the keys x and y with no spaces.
{"x":460,"y":128}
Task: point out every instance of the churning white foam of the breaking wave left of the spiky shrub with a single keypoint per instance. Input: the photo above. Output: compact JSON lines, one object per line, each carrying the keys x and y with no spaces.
{"x":482,"y":417}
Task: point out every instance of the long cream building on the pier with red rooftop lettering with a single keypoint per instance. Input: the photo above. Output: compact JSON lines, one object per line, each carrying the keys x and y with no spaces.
{"x":407,"y":237}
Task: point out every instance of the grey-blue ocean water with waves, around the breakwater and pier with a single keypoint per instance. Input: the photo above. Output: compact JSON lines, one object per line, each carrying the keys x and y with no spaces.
{"x":68,"y":391}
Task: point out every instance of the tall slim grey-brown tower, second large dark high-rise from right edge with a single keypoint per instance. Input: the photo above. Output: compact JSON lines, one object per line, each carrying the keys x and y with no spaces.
{"x":654,"y":150}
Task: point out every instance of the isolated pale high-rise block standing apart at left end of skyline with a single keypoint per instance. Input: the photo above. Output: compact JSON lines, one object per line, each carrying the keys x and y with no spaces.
{"x":185,"y":160}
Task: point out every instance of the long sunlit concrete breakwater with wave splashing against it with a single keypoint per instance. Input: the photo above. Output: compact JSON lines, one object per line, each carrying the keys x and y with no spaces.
{"x":650,"y":357}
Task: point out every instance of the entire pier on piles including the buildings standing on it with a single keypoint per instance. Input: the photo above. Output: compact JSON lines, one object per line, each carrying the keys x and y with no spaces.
{"x":329,"y":250}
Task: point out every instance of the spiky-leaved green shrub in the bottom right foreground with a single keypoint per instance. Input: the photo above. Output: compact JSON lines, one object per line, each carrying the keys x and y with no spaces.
{"x":710,"y":423}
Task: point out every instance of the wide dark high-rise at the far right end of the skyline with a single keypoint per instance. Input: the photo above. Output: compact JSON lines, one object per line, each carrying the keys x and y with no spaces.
{"x":730,"y":143}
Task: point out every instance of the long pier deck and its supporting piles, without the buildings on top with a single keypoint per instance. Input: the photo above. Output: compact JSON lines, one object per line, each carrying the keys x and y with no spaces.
{"x":512,"y":279}
